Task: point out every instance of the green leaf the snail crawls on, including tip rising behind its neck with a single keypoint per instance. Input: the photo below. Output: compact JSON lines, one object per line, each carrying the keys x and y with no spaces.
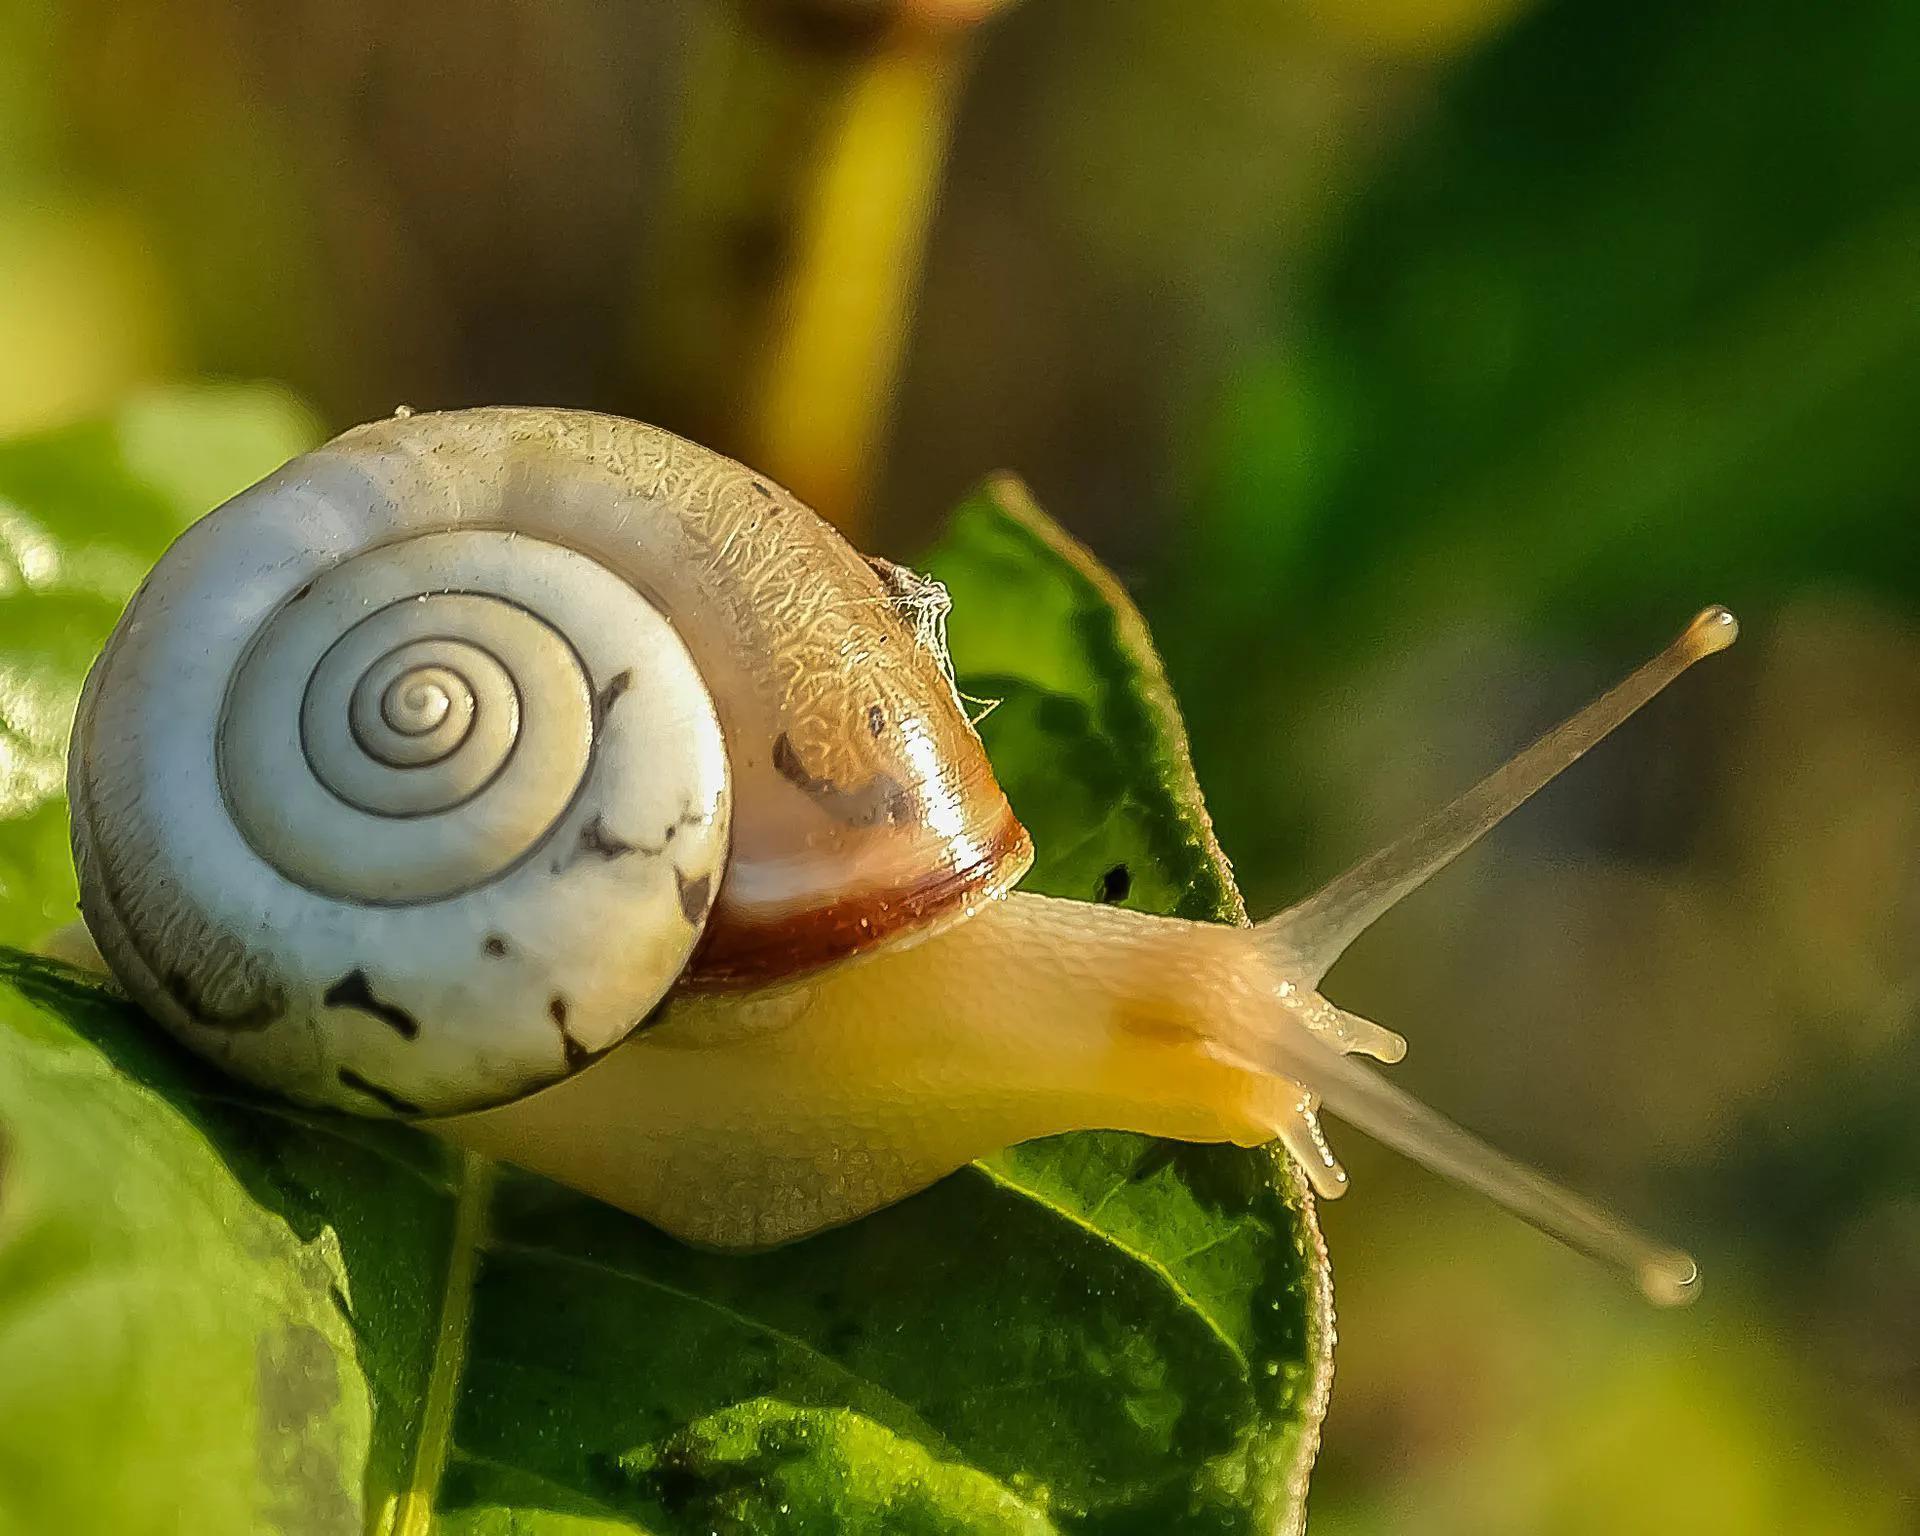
{"x":1093,"y":1333}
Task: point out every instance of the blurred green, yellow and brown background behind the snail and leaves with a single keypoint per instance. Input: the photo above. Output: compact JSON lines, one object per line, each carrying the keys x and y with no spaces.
{"x":1420,"y":366}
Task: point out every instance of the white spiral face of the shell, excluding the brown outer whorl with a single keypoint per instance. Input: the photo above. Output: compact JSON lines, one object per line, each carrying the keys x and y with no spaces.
{"x":391,"y":805}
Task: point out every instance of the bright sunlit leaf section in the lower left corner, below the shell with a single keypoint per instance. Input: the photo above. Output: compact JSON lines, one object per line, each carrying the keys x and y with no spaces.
{"x":174,"y":1355}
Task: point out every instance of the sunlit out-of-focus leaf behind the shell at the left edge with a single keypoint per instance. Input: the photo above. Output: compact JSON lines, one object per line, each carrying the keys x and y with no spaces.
{"x":84,"y":514}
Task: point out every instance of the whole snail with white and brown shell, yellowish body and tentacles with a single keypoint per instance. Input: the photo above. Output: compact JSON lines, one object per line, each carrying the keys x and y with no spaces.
{"x":583,"y":796}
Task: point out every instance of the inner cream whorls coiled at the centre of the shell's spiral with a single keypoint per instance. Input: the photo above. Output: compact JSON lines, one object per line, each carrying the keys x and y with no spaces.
{"x":418,"y":719}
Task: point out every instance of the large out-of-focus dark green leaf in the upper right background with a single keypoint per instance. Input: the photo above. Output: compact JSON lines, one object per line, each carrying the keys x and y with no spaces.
{"x":1633,"y":322}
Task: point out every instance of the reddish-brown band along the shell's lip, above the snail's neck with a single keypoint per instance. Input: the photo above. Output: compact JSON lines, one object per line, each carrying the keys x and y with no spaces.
{"x":752,"y":955}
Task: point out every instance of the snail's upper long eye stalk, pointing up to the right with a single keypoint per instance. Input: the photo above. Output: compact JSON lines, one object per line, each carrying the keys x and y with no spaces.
{"x":1312,"y":934}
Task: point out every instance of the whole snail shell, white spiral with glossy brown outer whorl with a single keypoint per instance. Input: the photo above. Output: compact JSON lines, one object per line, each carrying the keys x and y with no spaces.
{"x":421,"y":773}
